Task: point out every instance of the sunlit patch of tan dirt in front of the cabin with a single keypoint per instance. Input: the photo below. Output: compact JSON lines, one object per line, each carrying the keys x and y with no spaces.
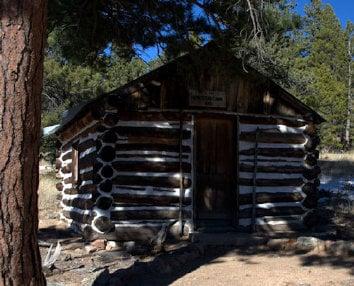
{"x":272,"y":270}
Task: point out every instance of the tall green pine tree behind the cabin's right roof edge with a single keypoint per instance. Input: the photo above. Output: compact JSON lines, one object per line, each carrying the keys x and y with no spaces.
{"x":320,"y":71}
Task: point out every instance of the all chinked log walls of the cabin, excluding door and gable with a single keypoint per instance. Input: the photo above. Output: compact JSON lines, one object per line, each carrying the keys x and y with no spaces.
{"x":133,"y":165}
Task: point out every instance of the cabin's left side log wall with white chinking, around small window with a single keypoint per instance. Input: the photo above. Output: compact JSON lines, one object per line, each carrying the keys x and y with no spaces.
{"x":78,"y":197}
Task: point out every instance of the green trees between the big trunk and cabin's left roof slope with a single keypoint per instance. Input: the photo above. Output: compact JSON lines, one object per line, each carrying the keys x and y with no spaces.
{"x":66,"y":84}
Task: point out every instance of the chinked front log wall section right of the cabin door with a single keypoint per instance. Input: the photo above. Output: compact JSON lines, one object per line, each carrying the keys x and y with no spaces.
{"x":286,"y":178}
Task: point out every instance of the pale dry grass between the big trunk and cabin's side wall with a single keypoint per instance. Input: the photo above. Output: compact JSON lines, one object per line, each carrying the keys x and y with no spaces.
{"x":48,"y":200}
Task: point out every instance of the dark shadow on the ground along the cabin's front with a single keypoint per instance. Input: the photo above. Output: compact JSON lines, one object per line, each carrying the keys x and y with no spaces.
{"x":169,"y":267}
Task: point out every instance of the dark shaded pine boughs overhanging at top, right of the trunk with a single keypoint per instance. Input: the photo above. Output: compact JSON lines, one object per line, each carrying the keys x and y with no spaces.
{"x":82,"y":29}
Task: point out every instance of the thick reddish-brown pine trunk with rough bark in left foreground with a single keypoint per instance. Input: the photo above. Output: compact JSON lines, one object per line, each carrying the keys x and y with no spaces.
{"x":22,"y":29}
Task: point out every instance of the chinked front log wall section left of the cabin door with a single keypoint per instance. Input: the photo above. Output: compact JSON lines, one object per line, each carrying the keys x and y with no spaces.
{"x":138,"y":174}
